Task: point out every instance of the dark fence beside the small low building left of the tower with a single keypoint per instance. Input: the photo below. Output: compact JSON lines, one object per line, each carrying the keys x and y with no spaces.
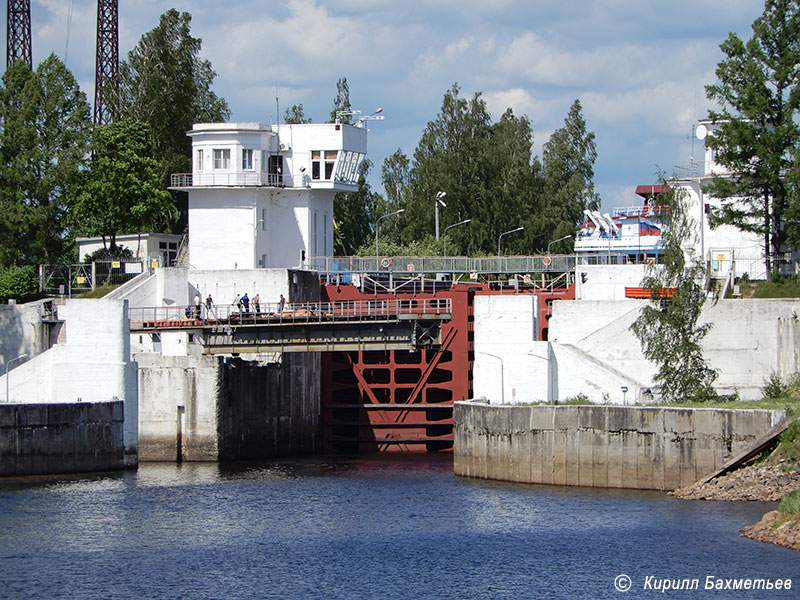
{"x":67,"y":280}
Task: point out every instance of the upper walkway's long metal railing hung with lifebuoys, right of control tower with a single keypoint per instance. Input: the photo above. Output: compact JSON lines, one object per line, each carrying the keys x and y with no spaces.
{"x":414,"y":265}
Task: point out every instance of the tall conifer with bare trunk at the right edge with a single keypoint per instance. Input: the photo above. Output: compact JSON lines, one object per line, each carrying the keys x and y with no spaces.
{"x":757,"y":137}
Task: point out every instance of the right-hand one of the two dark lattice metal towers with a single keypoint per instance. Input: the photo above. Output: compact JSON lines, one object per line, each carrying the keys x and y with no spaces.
{"x":106,"y":85}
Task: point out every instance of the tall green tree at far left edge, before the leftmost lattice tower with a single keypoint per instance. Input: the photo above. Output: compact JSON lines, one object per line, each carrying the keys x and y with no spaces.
{"x":45,"y":126}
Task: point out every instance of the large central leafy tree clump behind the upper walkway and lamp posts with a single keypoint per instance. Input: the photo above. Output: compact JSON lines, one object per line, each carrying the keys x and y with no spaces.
{"x":484,"y":168}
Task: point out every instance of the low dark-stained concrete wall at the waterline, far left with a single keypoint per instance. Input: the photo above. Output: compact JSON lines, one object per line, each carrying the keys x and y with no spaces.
{"x":61,"y":438}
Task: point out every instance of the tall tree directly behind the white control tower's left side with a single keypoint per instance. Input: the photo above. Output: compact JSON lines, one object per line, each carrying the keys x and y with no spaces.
{"x":166,"y":84}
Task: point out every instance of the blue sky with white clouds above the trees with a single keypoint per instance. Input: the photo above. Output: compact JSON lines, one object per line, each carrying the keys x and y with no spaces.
{"x":638,"y":67}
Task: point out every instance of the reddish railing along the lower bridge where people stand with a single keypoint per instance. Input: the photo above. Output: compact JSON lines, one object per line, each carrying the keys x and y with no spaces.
{"x":154,"y":317}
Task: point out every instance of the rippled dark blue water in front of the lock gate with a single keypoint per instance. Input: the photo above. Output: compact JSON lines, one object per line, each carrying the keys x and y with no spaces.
{"x":368,"y":528}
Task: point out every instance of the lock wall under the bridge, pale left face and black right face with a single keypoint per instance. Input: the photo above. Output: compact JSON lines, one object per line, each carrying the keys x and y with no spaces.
{"x":202,"y":408}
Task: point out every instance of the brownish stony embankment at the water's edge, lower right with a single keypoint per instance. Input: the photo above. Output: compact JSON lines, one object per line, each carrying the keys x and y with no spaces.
{"x":768,"y":483}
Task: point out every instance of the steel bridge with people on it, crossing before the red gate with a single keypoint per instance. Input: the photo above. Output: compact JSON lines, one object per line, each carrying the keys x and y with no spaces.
{"x":355,"y":325}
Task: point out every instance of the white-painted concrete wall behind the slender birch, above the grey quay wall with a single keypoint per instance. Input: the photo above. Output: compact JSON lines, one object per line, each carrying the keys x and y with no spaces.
{"x":595,"y":353}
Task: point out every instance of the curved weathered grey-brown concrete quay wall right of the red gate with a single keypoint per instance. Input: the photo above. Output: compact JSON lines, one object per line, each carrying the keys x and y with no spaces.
{"x":601,"y":446}
